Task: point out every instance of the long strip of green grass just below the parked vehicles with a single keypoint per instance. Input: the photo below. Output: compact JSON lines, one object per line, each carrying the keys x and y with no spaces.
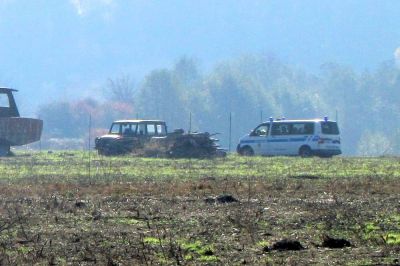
{"x":72,"y":166}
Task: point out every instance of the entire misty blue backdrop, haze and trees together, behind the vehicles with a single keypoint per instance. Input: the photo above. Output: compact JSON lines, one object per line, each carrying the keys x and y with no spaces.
{"x":114,"y":59}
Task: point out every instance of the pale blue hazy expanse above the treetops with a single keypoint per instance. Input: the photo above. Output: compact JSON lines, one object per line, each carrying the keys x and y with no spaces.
{"x":63,"y":48}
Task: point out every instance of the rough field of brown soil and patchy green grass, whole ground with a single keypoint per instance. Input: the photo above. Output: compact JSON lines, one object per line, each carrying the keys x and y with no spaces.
{"x":67,"y":208}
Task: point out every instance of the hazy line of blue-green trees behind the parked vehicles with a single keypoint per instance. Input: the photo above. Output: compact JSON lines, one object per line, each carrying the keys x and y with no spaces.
{"x":249,"y":89}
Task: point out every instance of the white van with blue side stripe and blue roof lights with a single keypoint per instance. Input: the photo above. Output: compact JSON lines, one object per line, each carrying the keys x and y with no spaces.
{"x":292,"y":137}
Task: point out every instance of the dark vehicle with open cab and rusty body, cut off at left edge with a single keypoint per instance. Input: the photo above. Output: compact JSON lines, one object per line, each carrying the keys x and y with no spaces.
{"x":15,"y":130}
